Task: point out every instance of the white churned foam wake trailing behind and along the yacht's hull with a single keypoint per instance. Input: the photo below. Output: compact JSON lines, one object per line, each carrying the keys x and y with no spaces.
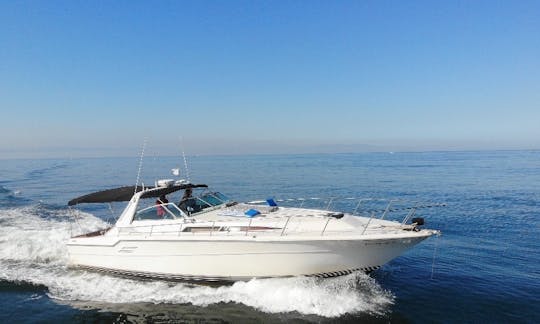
{"x":33,"y":250}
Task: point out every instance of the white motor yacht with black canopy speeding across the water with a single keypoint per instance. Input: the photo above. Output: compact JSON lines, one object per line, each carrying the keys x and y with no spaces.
{"x":208,"y":237}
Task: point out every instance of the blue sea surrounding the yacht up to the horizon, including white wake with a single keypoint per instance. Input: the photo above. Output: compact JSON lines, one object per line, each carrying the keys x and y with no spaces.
{"x":484,"y":268}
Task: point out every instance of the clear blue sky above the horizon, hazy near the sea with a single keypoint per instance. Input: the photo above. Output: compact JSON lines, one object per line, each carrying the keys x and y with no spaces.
{"x":100,"y":78}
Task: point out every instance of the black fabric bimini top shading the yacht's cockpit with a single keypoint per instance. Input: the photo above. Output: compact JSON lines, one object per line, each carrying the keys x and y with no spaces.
{"x":126,"y":193}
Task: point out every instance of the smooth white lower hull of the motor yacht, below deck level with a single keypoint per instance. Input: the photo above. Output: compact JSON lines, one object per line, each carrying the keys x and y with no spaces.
{"x":237,"y":259}
